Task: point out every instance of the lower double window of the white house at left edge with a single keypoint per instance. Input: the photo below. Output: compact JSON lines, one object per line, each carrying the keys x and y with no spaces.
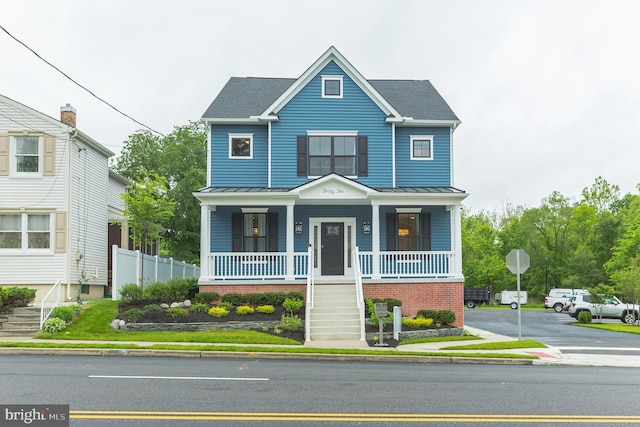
{"x":25,"y":231}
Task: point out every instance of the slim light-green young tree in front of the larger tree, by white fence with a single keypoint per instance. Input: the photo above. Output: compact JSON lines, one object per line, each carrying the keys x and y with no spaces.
{"x":146,"y":207}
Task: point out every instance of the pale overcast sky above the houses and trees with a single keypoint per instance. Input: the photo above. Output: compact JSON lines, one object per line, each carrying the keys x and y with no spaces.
{"x":548,"y":91}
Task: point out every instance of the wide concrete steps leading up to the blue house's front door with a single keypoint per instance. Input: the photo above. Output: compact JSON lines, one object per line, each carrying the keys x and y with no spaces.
{"x":335,"y":314}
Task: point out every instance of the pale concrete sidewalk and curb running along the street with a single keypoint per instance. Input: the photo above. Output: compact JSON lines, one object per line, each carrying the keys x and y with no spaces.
{"x":546,"y":356}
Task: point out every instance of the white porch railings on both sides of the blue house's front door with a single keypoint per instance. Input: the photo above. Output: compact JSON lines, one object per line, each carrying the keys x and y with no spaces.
{"x":273,"y":265}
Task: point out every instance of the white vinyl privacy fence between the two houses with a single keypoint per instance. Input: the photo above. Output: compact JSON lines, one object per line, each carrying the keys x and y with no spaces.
{"x":127,"y":268}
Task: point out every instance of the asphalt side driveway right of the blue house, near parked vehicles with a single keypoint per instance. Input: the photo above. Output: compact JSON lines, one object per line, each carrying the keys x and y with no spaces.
{"x":554,"y":329}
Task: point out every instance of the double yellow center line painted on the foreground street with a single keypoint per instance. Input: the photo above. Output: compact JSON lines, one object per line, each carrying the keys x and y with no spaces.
{"x":292,"y":416}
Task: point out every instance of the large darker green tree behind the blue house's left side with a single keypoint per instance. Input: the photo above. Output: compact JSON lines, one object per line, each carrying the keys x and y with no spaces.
{"x":180,"y":158}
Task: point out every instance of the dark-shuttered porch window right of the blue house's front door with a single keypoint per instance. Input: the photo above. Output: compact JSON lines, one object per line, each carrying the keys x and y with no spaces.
{"x":408,"y":231}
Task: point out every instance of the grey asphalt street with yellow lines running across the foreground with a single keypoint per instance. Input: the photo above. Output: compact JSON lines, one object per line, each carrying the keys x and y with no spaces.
{"x":140,"y":391}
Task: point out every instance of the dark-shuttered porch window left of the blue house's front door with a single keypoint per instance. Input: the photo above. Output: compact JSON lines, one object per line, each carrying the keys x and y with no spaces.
{"x":254,"y":232}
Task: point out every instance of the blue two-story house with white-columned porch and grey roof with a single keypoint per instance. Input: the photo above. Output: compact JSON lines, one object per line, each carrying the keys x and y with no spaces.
{"x":330,"y":179}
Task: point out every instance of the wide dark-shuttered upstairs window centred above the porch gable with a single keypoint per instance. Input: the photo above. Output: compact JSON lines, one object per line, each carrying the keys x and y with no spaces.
{"x":319,"y":155}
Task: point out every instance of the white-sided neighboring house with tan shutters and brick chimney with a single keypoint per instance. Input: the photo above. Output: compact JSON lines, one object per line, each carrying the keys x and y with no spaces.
{"x":54,"y":197}
